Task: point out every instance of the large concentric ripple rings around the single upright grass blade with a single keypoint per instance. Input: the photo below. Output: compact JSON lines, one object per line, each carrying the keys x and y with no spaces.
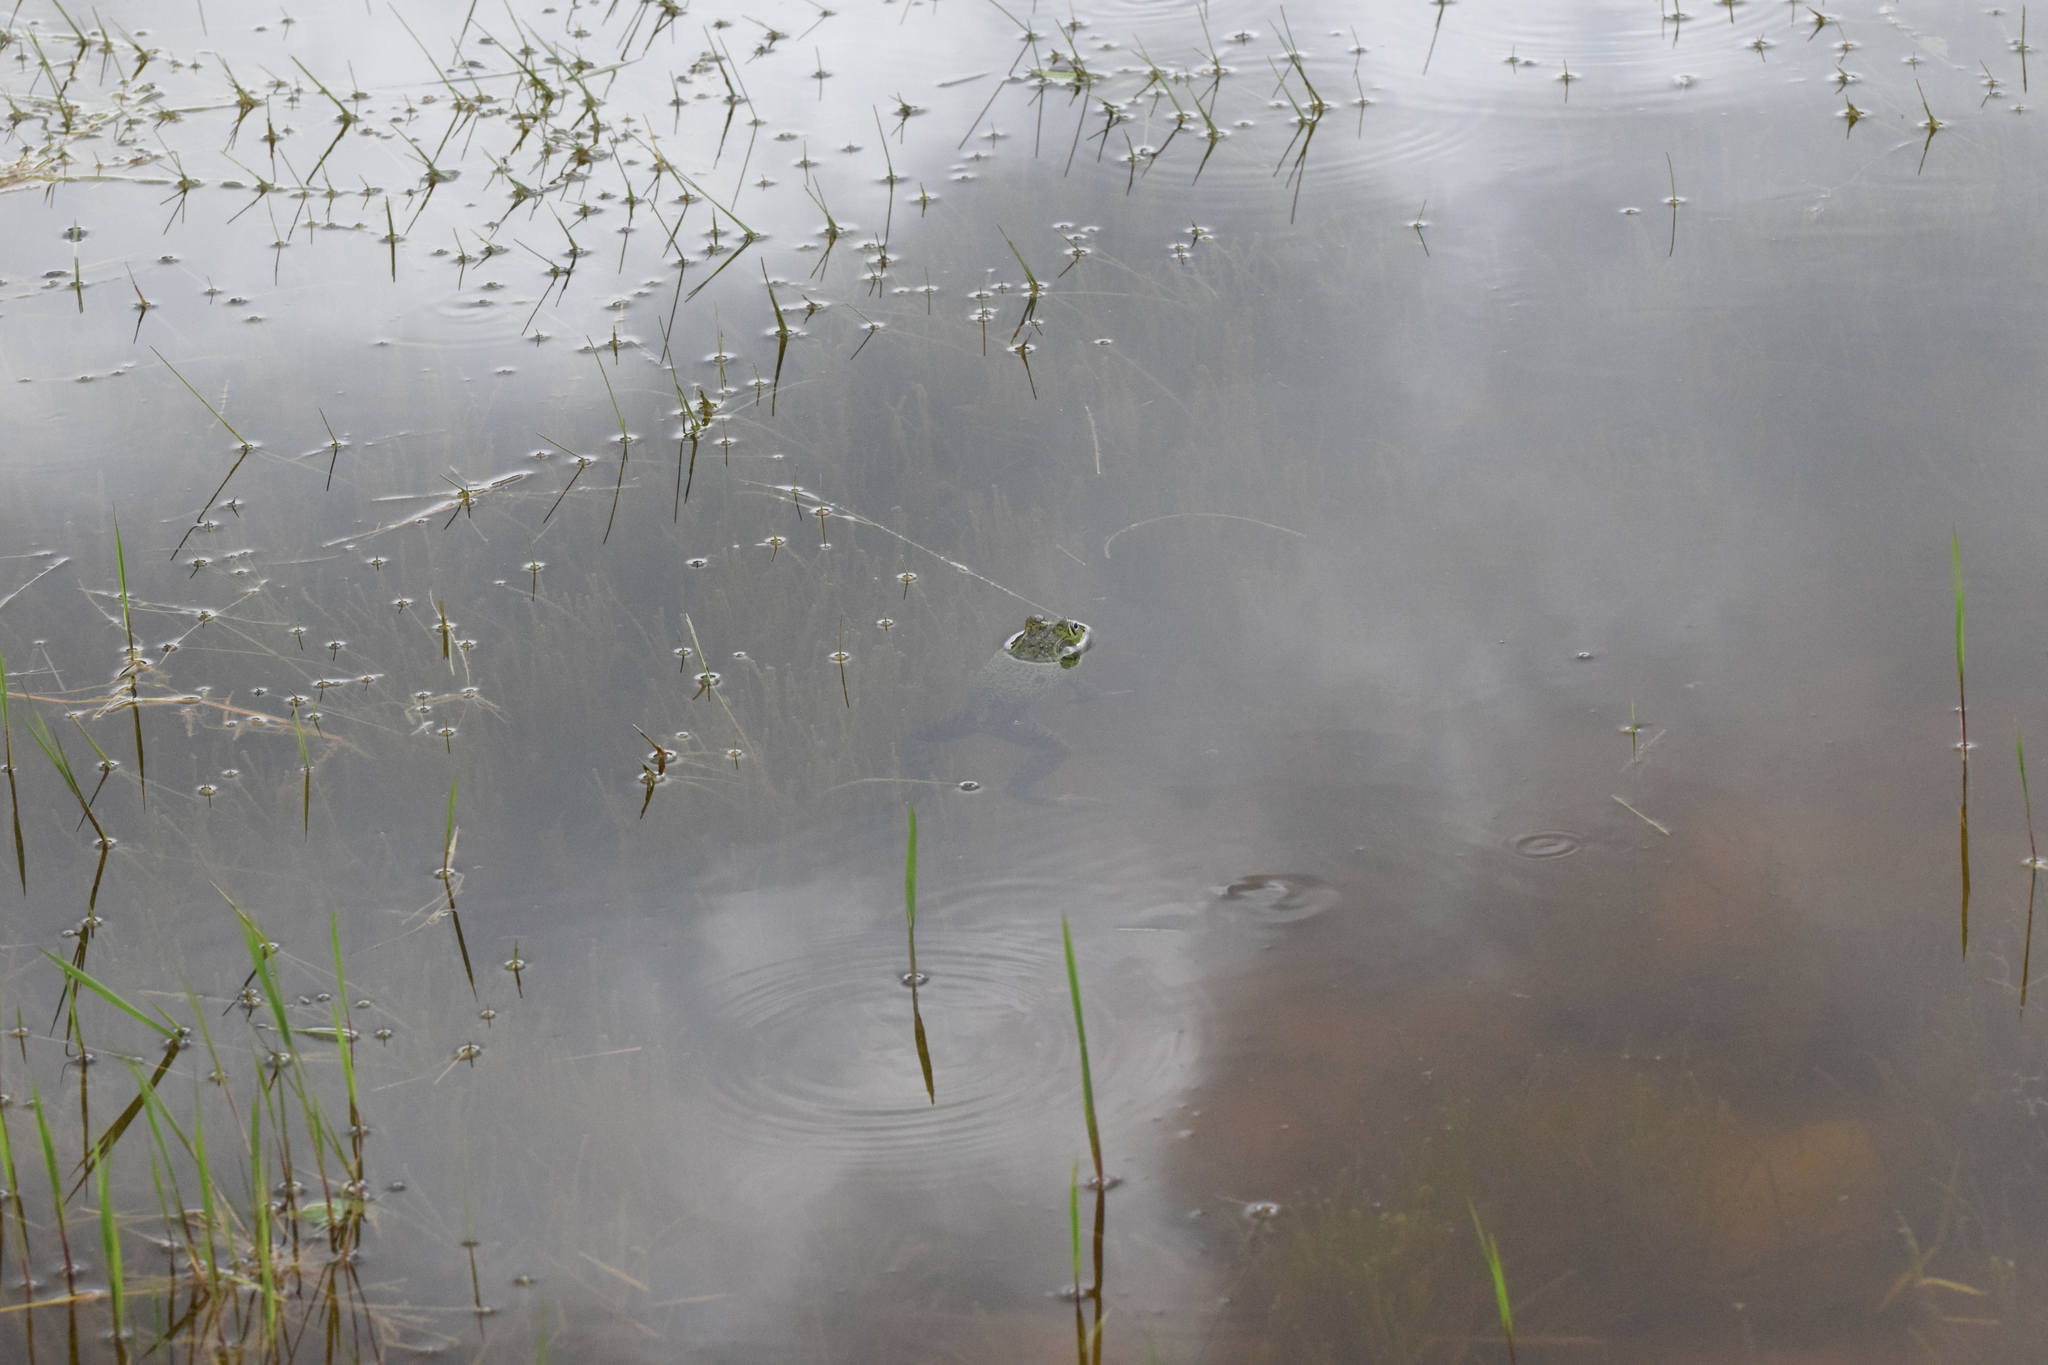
{"x":818,"y":1049}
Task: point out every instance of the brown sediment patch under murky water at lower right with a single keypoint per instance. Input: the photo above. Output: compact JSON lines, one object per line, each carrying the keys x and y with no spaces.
{"x":1629,"y":1088}
